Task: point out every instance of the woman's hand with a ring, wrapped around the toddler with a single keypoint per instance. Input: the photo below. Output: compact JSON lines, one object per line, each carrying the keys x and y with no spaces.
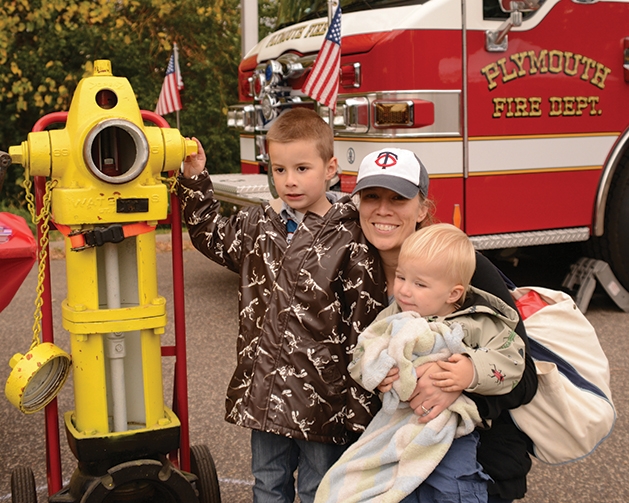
{"x":428,"y":401}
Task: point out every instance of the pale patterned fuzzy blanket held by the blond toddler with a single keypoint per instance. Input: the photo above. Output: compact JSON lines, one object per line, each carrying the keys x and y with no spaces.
{"x":396,"y":453}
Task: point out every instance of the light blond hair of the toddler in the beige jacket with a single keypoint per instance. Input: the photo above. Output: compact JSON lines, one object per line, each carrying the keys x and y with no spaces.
{"x":444,"y":244}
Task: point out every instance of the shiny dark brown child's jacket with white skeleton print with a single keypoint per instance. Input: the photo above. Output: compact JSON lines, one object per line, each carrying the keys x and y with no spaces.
{"x":302,"y":308}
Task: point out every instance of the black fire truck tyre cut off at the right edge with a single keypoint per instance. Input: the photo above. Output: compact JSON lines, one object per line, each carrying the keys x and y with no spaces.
{"x":613,"y":246}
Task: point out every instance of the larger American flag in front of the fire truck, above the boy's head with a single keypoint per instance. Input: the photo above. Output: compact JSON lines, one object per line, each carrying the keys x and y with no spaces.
{"x":323,"y":81}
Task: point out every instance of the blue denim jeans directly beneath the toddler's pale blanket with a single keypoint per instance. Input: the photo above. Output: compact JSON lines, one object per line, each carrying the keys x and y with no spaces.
{"x":458,"y":478}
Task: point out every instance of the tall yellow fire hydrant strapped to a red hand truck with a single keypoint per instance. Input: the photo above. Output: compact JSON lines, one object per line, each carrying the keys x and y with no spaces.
{"x":107,"y":200}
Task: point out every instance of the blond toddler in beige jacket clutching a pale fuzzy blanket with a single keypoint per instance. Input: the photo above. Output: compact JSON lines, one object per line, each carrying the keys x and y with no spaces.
{"x":436,"y":316}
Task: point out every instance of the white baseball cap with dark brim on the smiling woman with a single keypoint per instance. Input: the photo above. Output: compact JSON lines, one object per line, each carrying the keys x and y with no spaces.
{"x":397,"y":169}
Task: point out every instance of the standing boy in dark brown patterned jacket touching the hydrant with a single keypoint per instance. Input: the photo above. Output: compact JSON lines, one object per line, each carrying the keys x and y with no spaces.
{"x":309,"y":284}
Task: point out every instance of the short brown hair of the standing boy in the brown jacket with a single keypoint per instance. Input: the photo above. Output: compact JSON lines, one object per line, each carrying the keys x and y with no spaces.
{"x":303,"y":124}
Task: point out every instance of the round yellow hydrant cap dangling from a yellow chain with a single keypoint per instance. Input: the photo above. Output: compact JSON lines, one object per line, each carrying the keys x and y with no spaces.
{"x":37,"y":377}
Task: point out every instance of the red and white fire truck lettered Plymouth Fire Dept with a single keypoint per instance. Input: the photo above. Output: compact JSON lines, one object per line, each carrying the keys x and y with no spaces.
{"x":519,"y":109}
